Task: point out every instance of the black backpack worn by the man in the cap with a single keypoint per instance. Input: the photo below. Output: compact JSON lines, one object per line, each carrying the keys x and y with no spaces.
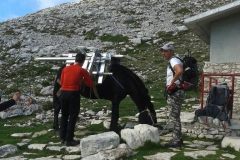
{"x":190,"y":75}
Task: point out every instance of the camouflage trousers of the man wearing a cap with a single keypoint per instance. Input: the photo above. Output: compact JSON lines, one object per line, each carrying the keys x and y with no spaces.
{"x":174,"y":106}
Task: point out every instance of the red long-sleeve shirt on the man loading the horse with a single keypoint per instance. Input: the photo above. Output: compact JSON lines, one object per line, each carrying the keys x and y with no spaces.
{"x":72,"y":76}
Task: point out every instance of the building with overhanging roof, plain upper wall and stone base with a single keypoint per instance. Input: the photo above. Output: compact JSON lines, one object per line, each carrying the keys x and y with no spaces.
{"x":220,"y":28}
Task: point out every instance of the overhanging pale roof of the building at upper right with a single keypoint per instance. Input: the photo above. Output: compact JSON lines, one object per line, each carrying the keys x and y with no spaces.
{"x":201,"y":23}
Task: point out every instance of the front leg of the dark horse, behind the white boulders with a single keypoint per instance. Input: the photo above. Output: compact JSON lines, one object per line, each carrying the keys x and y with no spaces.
{"x":115,"y":112}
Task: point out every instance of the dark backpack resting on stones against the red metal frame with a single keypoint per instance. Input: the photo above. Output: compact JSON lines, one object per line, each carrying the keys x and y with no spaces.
{"x":218,"y":104}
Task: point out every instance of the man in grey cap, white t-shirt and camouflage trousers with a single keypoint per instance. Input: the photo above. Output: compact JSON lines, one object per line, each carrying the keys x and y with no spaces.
{"x":175,"y":94}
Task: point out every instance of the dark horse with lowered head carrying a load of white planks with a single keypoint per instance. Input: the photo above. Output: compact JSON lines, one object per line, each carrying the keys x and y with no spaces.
{"x":115,"y":88}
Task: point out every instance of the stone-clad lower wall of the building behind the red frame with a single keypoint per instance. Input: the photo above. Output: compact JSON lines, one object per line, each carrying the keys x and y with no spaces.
{"x":224,"y":68}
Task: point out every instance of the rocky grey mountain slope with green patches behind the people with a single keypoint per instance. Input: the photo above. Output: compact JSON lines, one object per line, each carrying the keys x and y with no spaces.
{"x":135,"y":27}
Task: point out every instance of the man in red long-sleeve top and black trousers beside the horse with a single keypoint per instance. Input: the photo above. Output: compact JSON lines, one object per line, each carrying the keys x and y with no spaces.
{"x":71,"y":78}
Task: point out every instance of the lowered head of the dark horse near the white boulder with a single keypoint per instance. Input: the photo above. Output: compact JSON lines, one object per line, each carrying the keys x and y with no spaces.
{"x":147,"y":117}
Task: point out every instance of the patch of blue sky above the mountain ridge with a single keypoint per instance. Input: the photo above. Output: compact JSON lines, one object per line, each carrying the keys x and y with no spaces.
{"x":17,"y":8}
